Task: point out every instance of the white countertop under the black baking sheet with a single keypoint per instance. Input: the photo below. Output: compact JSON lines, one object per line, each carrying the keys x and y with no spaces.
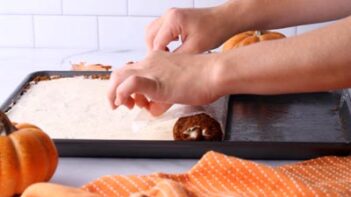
{"x":15,"y":64}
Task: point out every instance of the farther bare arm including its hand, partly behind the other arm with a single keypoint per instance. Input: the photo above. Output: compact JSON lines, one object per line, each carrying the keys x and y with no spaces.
{"x":205,"y":29}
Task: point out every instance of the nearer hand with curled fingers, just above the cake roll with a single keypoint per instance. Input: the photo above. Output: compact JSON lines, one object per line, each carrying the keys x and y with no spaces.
{"x":165,"y":78}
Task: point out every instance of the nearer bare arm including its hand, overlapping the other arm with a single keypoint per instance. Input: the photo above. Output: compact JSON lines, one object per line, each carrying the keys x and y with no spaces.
{"x":315,"y":61}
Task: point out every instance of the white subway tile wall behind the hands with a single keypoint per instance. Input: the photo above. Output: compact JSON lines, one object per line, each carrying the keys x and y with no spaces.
{"x":91,"y":24}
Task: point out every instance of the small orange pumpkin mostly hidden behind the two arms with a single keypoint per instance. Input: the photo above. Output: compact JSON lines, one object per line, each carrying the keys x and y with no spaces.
{"x":250,"y":37}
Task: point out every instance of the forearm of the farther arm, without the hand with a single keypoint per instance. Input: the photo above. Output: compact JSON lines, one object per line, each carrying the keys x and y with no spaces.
{"x":273,"y":14}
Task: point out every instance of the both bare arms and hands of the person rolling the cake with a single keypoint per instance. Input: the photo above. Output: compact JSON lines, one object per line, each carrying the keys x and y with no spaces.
{"x":314,"y":61}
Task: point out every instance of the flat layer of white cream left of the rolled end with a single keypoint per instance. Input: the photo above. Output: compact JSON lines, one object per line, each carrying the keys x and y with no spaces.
{"x":77,"y":108}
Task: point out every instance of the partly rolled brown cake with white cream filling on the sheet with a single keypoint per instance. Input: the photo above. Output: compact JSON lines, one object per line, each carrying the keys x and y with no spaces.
{"x":77,"y":108}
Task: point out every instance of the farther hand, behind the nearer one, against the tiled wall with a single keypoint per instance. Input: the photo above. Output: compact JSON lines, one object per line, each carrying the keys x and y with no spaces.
{"x":200,"y":30}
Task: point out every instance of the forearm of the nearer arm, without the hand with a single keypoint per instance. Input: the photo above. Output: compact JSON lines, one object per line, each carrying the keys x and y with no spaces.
{"x":316,"y":61}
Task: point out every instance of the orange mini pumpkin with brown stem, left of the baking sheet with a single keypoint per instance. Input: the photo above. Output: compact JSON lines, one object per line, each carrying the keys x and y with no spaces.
{"x":27,"y":156}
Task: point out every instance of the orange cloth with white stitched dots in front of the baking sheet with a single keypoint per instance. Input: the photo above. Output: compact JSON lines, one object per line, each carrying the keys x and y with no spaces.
{"x":220,"y":175}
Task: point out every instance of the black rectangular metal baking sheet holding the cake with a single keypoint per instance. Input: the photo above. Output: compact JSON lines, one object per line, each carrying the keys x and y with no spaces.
{"x":295,"y":126}
